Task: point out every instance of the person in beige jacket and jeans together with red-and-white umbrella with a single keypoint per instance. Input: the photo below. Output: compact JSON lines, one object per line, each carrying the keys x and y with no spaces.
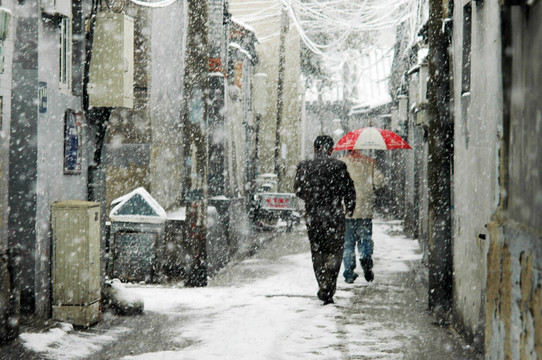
{"x":367,"y":178}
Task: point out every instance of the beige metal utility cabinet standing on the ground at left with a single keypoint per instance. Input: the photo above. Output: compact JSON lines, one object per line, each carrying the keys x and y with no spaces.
{"x":76,"y":262}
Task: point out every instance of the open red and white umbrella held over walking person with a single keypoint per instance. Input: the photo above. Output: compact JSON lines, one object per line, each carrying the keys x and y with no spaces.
{"x":371,"y":138}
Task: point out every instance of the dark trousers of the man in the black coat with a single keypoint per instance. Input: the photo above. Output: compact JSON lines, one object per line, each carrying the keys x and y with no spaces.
{"x":327,"y":243}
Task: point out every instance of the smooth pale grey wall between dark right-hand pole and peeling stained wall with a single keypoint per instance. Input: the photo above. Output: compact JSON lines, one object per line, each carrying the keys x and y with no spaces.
{"x":477,"y":116}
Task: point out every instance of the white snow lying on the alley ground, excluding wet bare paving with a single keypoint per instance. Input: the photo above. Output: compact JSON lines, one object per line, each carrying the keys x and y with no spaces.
{"x":269,"y":312}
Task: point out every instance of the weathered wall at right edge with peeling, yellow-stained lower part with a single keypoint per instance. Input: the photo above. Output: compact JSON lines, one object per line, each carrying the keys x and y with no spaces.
{"x":514,"y":291}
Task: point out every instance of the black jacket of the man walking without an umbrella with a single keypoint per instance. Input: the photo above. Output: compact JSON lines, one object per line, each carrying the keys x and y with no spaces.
{"x":324,"y":183}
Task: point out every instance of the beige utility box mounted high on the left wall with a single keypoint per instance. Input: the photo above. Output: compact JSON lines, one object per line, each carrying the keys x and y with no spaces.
{"x":111,"y":73}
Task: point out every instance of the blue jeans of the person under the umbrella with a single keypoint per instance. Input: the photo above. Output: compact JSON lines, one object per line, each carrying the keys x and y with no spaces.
{"x":360,"y":232}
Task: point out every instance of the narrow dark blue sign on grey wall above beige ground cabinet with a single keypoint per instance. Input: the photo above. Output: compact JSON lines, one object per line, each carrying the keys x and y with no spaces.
{"x":73,"y":137}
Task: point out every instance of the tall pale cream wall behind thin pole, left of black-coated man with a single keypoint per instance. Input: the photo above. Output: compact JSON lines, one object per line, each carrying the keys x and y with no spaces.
{"x":267,"y":30}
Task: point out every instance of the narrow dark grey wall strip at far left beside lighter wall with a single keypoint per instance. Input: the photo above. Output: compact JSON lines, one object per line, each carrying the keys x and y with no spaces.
{"x":23,"y":150}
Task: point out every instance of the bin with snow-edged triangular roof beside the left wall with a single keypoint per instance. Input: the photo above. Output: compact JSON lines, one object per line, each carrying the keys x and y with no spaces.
{"x":136,"y":237}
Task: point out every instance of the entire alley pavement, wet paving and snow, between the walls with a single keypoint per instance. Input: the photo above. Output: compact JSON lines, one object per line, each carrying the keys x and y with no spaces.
{"x":384,"y":319}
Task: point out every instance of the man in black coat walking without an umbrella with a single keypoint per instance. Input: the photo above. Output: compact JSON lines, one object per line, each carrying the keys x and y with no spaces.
{"x":324,"y":184}
